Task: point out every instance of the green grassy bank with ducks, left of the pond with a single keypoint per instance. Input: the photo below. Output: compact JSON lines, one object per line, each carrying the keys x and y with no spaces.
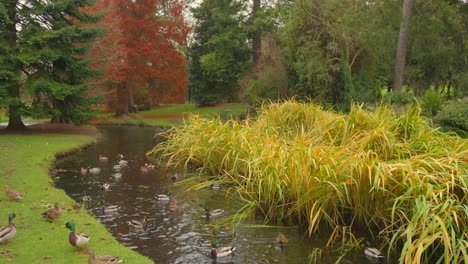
{"x":24,"y":163}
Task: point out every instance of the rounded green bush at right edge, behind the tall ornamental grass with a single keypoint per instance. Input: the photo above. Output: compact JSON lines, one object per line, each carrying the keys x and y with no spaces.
{"x":454,"y":116}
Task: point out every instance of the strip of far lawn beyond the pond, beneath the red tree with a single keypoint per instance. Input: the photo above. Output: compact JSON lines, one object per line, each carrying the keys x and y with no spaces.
{"x":167,"y":116}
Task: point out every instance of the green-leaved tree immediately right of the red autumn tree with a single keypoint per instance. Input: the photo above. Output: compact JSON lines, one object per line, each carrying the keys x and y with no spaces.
{"x":219,"y":54}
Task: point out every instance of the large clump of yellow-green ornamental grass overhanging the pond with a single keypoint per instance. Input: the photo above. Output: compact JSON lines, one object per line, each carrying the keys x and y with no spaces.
{"x":391,"y":175}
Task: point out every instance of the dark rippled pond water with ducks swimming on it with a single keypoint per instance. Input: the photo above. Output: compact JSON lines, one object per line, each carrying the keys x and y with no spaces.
{"x":173,"y":237}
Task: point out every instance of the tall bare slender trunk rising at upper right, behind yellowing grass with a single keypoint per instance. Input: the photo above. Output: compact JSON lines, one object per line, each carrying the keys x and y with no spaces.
{"x":402,"y":45}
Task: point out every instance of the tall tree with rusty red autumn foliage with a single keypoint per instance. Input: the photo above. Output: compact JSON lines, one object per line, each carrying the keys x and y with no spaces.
{"x":140,"y":52}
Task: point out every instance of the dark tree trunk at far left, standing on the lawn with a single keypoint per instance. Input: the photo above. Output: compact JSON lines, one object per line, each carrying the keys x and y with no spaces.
{"x":14,"y":108}
